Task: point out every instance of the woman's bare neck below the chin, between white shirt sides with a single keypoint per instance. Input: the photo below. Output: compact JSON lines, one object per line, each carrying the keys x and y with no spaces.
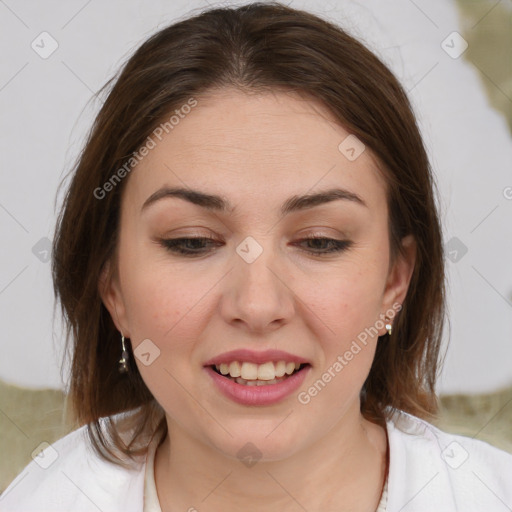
{"x":346,"y":468}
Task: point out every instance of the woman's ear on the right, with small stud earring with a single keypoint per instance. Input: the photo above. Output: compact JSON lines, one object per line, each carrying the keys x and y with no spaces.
{"x":399,"y":276}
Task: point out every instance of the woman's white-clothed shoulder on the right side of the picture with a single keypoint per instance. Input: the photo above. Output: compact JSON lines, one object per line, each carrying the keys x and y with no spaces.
{"x":434,"y":470}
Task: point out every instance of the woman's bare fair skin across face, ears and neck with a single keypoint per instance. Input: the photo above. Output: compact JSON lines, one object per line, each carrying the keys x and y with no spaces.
{"x":257,"y":151}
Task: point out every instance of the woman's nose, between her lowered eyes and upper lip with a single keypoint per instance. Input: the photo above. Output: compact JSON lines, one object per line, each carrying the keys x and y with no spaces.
{"x":257,"y":294}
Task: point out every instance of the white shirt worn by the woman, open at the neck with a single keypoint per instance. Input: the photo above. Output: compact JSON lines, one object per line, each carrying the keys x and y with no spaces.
{"x":429,"y":471}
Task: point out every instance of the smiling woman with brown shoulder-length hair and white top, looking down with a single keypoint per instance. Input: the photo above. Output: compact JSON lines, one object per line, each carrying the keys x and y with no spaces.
{"x":250,"y":263}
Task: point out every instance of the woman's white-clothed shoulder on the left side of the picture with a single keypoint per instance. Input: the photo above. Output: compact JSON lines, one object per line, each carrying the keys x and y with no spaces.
{"x":69,"y":475}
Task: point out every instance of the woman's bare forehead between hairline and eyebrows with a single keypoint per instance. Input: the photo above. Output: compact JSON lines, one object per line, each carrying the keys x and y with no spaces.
{"x":267,"y":146}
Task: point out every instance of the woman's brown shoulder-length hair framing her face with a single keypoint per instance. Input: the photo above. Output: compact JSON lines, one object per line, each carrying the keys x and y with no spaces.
{"x":256,"y":48}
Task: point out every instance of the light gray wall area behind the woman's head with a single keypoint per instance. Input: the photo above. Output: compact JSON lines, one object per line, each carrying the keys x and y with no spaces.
{"x":45,"y":113}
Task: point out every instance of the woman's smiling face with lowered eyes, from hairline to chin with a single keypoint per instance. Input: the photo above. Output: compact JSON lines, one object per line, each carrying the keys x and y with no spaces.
{"x":255,"y":283}
